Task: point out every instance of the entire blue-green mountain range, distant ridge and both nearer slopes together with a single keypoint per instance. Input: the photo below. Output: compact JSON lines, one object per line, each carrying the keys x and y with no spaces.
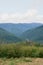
{"x":21,"y":32}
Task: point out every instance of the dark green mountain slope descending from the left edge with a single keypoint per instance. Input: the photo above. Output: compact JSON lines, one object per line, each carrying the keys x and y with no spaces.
{"x":6,"y":37}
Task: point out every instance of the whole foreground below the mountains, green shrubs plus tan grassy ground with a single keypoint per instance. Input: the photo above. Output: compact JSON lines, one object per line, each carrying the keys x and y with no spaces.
{"x":21,"y":54}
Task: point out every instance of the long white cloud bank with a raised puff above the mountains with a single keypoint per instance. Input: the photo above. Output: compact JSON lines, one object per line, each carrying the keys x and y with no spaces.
{"x":28,"y":17}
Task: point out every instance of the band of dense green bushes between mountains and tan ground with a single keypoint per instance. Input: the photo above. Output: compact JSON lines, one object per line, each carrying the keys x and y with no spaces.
{"x":21,"y":50}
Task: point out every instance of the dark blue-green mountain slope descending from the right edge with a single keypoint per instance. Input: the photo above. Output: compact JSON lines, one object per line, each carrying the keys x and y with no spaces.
{"x":35,"y":34}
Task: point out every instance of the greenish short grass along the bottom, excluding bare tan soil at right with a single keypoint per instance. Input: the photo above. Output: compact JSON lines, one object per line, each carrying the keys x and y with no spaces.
{"x":13,"y":61}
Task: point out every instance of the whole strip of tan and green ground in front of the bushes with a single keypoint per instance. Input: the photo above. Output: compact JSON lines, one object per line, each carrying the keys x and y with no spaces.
{"x":21,"y":61}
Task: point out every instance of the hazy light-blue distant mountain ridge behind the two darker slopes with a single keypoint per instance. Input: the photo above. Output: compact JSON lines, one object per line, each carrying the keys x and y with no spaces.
{"x":19,"y":28}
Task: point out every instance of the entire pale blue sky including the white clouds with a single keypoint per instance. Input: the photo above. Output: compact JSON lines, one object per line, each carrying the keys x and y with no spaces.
{"x":21,"y":11}
